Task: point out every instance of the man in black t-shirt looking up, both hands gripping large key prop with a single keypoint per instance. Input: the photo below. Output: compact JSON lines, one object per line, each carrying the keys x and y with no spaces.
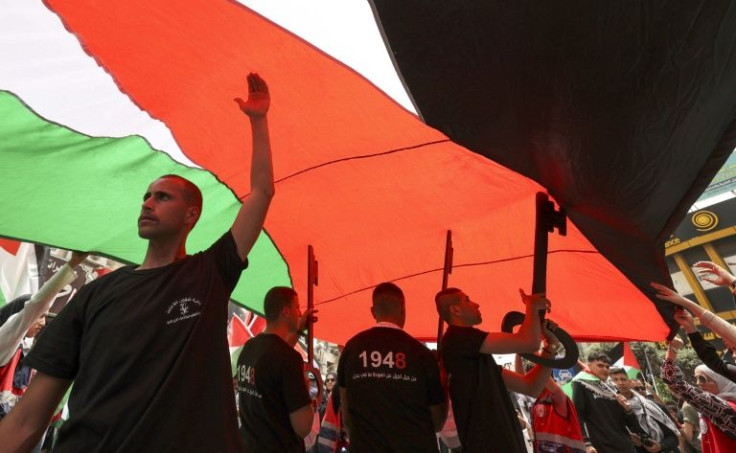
{"x":485,"y":417}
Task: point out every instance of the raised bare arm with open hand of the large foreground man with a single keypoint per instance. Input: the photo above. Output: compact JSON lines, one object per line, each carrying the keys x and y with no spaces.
{"x":252,"y":214}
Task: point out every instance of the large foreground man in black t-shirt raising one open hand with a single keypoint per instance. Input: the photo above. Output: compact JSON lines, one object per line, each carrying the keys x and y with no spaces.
{"x":146,"y":346}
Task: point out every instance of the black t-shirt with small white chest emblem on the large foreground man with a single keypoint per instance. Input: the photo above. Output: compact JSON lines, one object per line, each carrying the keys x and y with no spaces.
{"x":148,"y":353}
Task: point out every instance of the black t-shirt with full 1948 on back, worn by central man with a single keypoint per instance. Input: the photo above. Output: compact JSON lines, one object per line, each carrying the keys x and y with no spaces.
{"x":391,"y":381}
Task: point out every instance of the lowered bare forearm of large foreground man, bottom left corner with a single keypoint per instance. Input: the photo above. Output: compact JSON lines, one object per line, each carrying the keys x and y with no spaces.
{"x":21,"y":430}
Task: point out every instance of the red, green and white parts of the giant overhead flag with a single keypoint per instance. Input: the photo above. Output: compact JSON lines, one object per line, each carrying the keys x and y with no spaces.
{"x":99,"y":98}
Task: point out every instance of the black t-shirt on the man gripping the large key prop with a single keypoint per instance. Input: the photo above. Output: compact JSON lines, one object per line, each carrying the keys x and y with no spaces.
{"x":485,"y":418}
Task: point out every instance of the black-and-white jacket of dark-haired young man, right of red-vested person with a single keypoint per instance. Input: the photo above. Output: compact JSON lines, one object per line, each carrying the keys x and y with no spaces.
{"x":603,"y":421}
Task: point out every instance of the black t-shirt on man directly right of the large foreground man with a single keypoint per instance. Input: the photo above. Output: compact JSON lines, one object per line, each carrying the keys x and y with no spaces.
{"x":271,"y":385}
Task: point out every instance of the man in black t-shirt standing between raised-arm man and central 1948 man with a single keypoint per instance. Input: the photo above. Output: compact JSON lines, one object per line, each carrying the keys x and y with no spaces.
{"x":275,"y":409}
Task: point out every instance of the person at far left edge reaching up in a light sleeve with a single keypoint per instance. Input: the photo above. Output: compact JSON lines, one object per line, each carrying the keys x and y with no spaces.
{"x":26,"y":316}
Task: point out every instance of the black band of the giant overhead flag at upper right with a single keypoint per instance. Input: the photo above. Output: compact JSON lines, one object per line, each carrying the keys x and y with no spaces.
{"x":623,"y":111}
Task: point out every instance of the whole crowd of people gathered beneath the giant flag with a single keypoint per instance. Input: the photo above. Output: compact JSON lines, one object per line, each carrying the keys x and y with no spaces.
{"x":146,"y":350}
